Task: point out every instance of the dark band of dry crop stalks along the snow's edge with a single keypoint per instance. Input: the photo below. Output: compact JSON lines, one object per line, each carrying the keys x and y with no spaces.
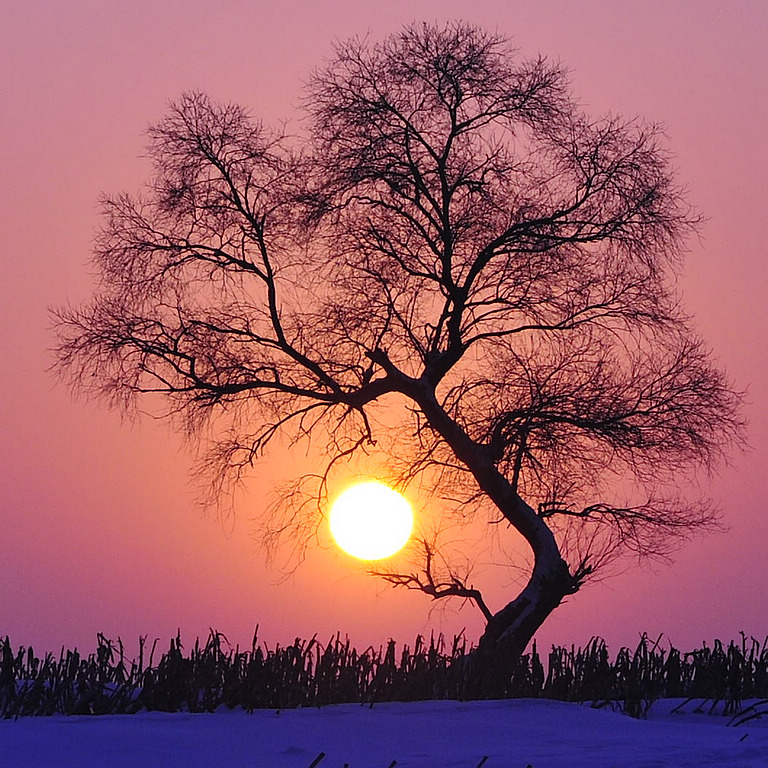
{"x":310,"y":674}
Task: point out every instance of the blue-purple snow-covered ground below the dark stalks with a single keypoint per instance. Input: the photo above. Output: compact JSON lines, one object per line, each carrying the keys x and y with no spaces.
{"x":433,"y":734}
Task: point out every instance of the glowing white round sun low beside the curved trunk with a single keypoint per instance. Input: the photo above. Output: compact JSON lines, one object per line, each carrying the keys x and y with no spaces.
{"x":370,"y":521}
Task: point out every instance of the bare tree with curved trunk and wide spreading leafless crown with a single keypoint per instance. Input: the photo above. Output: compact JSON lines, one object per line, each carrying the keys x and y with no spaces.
{"x":453,"y":239}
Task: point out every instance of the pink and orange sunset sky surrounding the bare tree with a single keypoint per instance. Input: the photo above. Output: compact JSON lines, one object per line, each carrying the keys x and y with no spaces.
{"x":100,"y":530}
